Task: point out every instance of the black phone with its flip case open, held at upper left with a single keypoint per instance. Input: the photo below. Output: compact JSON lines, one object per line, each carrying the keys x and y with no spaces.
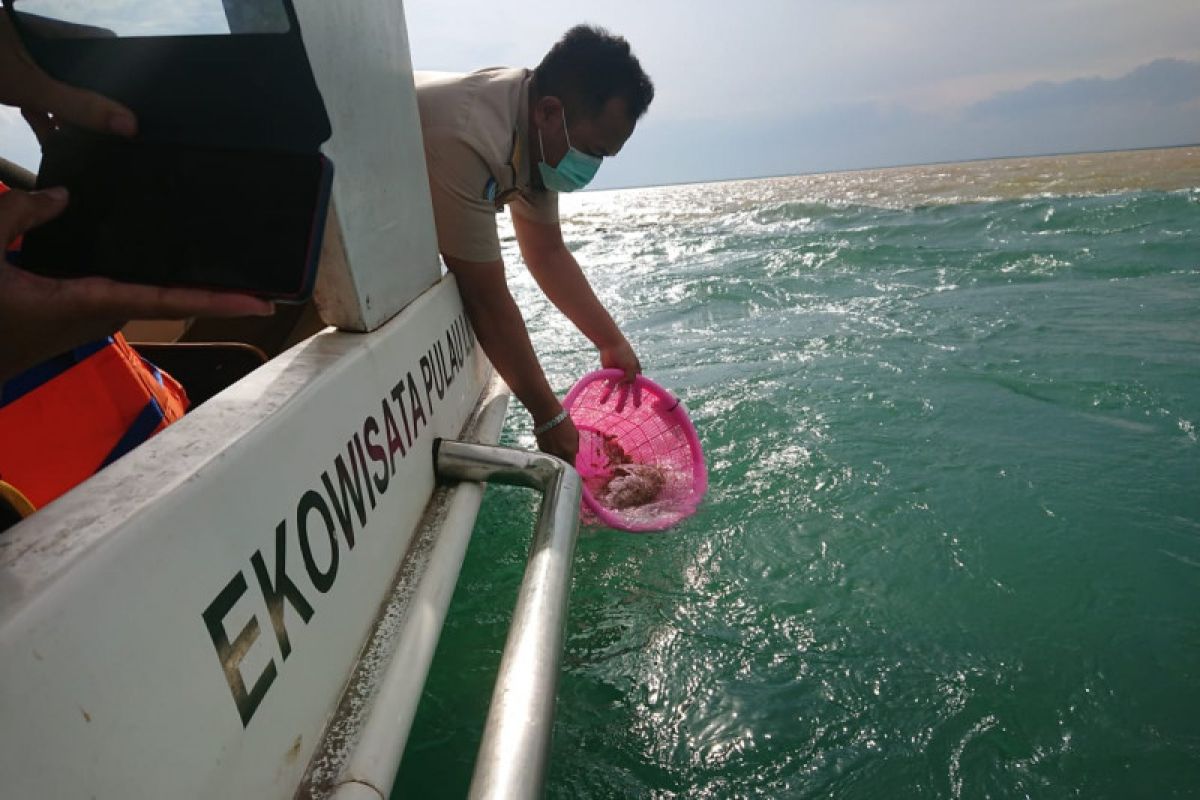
{"x":225,"y":187}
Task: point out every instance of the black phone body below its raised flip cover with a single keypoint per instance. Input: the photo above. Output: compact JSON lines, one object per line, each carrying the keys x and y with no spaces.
{"x":184,"y":216}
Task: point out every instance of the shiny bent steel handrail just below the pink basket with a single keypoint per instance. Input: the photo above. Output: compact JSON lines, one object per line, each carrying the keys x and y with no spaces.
{"x":515,"y":751}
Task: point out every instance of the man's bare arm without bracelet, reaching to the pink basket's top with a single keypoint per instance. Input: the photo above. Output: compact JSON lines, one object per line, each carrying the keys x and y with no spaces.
{"x":561,"y":279}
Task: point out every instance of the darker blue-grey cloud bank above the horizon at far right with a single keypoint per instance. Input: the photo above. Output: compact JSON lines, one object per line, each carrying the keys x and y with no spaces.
{"x":1166,"y":82}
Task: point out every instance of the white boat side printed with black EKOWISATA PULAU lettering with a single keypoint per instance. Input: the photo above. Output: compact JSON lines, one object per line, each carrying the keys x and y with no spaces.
{"x":111,"y":685}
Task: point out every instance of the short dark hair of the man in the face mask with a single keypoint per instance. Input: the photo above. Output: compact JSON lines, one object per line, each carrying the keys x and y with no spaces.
{"x":589,"y":68}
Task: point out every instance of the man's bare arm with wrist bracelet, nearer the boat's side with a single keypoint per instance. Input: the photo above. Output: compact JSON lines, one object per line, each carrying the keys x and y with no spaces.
{"x":502,"y":333}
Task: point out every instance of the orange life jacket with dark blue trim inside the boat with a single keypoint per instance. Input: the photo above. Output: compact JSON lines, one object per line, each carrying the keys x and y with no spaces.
{"x":70,"y":417}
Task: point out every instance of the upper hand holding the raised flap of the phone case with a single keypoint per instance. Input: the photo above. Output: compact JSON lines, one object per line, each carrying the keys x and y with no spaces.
{"x":41,"y":98}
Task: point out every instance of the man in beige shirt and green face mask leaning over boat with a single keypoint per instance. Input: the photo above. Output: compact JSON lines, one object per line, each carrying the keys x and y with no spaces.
{"x":518,"y":137}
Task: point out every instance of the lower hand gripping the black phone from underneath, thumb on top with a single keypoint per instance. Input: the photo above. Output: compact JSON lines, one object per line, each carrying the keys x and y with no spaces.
{"x":43,"y":317}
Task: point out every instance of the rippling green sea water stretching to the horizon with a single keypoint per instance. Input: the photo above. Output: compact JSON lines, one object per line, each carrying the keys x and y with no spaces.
{"x":952,"y":540}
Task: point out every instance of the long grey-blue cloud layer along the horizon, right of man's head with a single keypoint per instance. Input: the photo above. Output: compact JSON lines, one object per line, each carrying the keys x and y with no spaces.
{"x":1155,"y":105}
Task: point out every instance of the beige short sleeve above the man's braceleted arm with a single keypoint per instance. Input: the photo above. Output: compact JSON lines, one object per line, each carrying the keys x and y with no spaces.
{"x":465,"y":219}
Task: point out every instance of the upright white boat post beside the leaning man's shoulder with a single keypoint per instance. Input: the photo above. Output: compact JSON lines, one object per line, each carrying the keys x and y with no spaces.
{"x":359,"y":55}
